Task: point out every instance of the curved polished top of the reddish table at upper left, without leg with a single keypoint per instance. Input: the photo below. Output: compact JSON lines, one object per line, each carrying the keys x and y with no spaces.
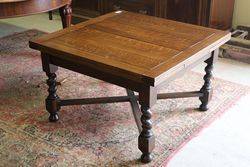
{"x":28,"y":7}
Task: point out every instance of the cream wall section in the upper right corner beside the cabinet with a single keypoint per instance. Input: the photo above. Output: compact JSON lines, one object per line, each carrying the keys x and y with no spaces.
{"x":241,"y":13}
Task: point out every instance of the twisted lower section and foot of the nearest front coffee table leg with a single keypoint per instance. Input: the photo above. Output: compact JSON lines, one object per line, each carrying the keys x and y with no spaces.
{"x":146,"y":139}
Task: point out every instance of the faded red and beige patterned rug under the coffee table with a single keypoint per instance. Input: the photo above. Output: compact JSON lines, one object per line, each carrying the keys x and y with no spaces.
{"x":90,"y":135}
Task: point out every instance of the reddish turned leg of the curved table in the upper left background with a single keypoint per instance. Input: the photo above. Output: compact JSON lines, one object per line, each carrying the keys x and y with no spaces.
{"x":66,"y":15}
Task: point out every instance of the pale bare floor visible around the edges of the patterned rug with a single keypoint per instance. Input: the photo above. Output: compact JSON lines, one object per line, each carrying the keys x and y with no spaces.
{"x":224,"y":143}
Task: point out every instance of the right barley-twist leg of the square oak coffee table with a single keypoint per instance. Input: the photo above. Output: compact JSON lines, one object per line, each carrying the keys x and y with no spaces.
{"x":207,"y":87}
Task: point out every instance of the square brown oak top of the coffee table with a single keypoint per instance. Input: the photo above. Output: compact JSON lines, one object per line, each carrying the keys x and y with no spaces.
{"x":134,"y":45}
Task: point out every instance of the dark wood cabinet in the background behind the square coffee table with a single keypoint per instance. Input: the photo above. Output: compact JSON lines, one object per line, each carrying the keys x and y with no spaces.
{"x":210,"y":13}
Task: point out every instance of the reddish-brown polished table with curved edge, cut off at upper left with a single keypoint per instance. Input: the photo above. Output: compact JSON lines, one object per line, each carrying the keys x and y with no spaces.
{"x":16,"y":8}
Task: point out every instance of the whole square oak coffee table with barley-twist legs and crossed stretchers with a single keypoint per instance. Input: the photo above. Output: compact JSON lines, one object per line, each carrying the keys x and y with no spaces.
{"x":138,"y":52}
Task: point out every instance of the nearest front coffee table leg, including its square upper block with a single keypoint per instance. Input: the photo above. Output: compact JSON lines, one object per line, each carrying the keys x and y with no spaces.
{"x":146,"y":140}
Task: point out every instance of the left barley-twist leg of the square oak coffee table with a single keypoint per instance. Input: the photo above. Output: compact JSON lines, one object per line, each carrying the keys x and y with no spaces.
{"x":52,"y":101}
